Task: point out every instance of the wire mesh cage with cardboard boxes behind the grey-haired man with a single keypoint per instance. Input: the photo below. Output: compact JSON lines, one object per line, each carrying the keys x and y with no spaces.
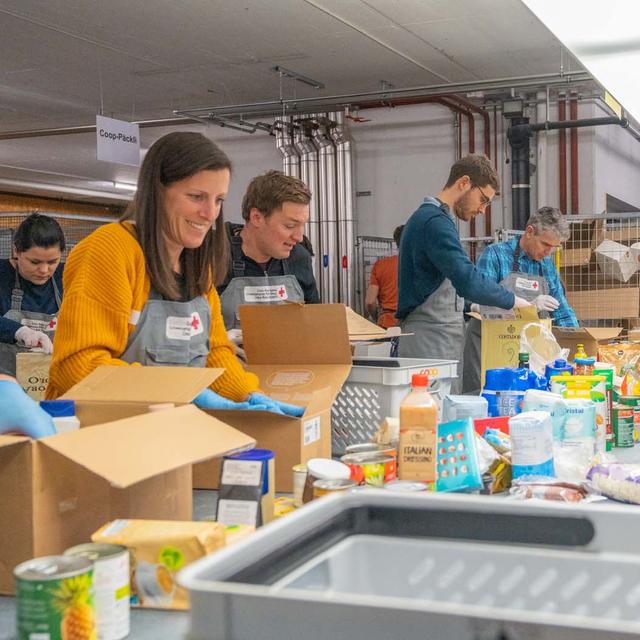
{"x":599,"y":269}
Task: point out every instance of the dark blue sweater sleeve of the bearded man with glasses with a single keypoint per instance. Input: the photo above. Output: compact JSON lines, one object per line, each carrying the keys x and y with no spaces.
{"x":445,"y":251}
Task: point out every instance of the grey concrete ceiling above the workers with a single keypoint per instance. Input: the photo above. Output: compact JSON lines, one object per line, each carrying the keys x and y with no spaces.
{"x":63,"y":61}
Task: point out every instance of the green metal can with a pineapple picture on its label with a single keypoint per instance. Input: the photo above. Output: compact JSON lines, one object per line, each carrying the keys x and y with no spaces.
{"x":55,"y":599}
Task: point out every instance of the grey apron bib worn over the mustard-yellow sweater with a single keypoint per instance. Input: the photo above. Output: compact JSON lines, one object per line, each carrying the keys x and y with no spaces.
{"x":170,"y":333}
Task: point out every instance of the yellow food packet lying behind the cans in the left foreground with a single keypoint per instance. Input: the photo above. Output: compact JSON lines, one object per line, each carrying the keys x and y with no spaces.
{"x":158,"y":549}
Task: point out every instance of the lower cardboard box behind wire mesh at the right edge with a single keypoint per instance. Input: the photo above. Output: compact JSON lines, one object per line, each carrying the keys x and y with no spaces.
{"x":605,"y":304}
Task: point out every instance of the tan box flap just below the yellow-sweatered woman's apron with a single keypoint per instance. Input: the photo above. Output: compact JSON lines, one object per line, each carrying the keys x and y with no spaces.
{"x":143,"y":384}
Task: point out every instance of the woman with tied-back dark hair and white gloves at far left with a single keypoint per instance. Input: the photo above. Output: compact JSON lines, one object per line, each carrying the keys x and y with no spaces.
{"x":30,"y":289}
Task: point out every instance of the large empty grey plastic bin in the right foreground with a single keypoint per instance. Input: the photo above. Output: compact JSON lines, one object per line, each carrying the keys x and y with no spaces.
{"x":370,"y":565}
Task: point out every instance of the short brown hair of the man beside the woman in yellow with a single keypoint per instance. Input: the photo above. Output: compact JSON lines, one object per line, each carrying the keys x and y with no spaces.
{"x":271,"y":190}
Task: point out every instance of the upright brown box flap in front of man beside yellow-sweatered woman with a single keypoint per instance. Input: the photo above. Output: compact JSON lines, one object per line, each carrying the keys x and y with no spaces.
{"x":295,"y":334}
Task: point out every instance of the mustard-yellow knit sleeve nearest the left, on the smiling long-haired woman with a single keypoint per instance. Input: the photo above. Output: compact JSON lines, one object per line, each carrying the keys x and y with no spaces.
{"x":103,"y":276}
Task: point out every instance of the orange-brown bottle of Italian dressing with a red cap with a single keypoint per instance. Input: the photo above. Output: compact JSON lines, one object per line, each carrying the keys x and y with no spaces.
{"x":418,"y":432}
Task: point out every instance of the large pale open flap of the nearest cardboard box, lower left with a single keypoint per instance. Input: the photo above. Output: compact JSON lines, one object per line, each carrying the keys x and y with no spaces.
{"x":128,"y":451}
